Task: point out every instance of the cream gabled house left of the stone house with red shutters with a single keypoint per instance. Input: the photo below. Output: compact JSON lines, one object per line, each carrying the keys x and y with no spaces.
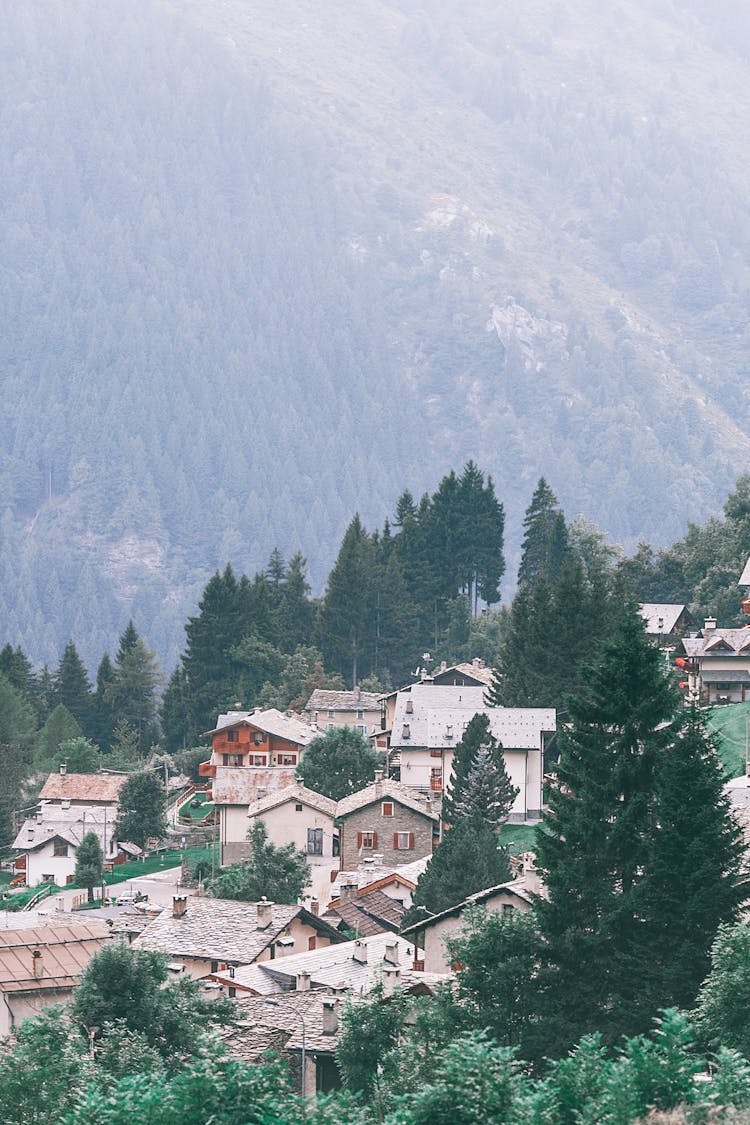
{"x":300,"y":816}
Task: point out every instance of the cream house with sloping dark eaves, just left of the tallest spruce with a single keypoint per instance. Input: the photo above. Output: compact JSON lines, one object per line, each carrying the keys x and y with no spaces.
{"x":433,"y":932}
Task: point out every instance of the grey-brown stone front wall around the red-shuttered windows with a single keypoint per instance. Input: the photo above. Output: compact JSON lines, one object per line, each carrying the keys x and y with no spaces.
{"x":372,"y":820}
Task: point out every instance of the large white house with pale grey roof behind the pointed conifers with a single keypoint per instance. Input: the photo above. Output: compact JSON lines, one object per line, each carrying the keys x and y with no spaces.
{"x":430,"y":721}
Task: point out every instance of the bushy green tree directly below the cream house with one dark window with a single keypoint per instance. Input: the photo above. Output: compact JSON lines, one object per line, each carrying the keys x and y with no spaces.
{"x":279,"y":875}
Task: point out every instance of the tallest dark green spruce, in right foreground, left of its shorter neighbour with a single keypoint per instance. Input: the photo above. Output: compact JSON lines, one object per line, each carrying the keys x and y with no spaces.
{"x":598,"y":839}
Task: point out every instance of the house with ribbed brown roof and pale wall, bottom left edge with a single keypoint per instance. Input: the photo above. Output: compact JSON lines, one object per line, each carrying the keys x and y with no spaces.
{"x":42,"y":966}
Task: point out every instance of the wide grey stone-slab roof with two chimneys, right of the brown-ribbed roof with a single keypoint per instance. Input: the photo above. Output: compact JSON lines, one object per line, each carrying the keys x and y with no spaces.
{"x":222,"y":930}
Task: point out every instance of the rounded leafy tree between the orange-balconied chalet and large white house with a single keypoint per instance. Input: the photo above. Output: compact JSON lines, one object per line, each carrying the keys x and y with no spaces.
{"x":339,"y":763}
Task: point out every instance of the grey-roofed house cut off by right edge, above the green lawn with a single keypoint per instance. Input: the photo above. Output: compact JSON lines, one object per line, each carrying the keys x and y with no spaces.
{"x":719,"y":660}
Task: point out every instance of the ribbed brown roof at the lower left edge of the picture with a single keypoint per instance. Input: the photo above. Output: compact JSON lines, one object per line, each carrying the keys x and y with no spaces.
{"x":66,"y":952}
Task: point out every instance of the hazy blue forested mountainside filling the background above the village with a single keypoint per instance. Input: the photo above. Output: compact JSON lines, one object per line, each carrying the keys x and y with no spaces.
{"x":264,"y":265}
